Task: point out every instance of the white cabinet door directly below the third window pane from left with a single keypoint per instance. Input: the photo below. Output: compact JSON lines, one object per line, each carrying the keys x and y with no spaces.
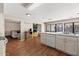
{"x":60,"y":42}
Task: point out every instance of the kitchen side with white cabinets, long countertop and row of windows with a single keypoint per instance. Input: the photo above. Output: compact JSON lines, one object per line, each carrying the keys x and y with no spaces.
{"x":62,"y":35}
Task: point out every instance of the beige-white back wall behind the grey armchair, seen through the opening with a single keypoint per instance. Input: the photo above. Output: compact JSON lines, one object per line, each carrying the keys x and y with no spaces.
{"x":9,"y":26}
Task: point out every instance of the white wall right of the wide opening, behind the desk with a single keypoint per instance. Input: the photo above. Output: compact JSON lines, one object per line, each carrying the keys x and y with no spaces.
{"x":25,"y":26}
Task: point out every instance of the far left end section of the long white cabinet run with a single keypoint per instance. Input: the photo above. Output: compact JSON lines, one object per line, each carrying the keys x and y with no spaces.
{"x":48,"y":39}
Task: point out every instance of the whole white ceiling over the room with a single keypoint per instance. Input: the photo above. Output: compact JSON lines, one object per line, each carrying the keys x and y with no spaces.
{"x":41,"y":12}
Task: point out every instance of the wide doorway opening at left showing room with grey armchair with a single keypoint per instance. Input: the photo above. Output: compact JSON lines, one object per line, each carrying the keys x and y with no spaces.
{"x":12,"y":29}
